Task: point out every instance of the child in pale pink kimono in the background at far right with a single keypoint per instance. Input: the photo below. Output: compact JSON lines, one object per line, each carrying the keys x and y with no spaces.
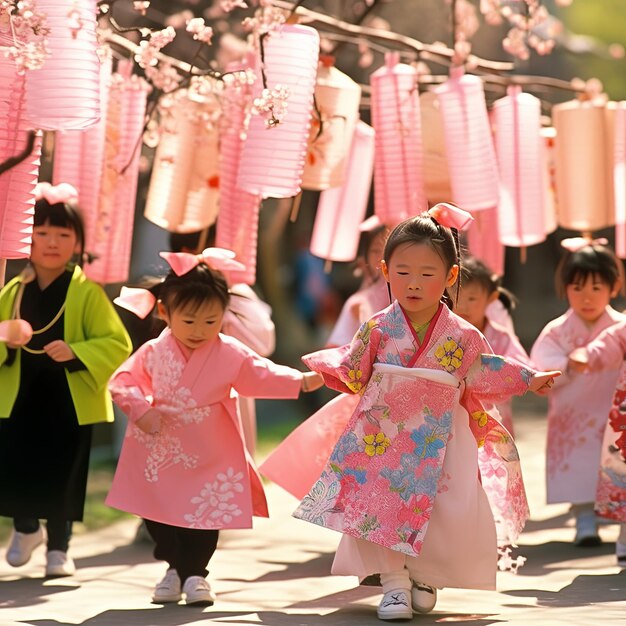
{"x":589,"y":275}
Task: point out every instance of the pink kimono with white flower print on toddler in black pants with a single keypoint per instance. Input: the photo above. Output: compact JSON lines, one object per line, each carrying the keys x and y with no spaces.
{"x":196,"y":473}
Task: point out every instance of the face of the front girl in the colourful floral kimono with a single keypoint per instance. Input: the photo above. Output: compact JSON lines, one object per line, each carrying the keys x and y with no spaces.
{"x":417,"y":277}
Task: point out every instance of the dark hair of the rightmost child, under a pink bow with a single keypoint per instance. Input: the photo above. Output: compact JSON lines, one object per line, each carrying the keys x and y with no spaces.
{"x":596,"y":260}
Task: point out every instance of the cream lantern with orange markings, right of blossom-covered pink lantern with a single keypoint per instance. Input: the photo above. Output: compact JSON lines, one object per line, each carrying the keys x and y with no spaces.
{"x":335,"y":114}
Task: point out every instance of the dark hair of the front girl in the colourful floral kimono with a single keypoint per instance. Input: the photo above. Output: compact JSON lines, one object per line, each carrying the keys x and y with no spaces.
{"x":424,"y":229}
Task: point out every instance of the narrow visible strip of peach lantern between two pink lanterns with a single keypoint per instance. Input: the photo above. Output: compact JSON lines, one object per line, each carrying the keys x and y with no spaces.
{"x":436,"y":170}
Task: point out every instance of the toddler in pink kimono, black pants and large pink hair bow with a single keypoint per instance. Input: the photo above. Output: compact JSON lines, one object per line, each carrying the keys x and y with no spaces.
{"x":183,"y":466}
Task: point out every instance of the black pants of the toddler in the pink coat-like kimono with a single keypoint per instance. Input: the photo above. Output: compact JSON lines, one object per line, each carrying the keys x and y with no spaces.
{"x":187,"y":550}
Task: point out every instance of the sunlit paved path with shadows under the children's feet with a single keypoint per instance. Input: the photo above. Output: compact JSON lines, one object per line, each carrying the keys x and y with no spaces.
{"x":277,"y":575}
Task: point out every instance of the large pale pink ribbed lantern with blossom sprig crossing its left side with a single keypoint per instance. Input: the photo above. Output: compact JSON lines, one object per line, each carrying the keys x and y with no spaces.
{"x":273,"y":159}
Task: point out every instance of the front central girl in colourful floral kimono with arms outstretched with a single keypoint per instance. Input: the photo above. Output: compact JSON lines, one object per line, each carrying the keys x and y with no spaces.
{"x":402,"y":482}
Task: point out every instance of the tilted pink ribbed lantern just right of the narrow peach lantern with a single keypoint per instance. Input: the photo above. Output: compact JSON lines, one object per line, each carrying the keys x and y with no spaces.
{"x":469,"y":145}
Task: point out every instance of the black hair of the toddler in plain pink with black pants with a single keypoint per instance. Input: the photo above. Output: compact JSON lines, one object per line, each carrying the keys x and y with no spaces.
{"x":198,"y":286}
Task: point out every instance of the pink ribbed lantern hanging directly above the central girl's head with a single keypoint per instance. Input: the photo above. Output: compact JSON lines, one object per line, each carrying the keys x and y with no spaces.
{"x":398,"y":175}
